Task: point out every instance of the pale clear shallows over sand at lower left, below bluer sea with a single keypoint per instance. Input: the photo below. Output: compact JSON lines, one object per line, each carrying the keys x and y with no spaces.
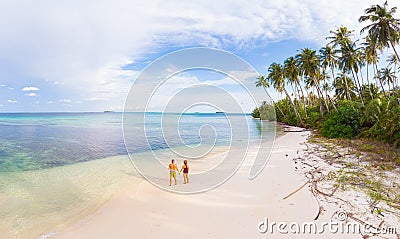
{"x":36,"y":202}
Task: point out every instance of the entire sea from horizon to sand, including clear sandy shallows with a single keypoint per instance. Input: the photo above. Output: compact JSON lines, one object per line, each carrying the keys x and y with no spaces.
{"x":56,"y":168}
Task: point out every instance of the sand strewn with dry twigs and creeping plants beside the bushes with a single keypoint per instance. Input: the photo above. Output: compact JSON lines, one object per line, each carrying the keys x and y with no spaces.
{"x":341,"y":177}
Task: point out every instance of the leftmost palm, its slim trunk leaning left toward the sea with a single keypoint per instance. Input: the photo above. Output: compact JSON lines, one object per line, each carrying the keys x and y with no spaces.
{"x":276,"y":76}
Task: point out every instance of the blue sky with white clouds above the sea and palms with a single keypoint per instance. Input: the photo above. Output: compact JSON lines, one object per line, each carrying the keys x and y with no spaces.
{"x":84,"y":56}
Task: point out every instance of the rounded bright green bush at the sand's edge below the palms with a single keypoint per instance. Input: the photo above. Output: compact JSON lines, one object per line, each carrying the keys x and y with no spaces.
{"x":343,"y":124}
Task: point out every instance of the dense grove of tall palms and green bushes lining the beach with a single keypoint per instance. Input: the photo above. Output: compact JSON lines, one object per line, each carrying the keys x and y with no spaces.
{"x":328,"y":89}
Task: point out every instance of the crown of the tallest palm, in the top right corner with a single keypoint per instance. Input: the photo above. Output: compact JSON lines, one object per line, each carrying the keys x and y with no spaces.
{"x":384,"y":27}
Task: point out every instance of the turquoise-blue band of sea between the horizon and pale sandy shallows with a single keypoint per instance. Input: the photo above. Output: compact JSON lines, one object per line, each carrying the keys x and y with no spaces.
{"x":44,"y":140}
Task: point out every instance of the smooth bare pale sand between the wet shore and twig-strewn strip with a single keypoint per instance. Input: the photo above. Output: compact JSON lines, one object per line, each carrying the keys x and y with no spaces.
{"x":233,"y":210}
